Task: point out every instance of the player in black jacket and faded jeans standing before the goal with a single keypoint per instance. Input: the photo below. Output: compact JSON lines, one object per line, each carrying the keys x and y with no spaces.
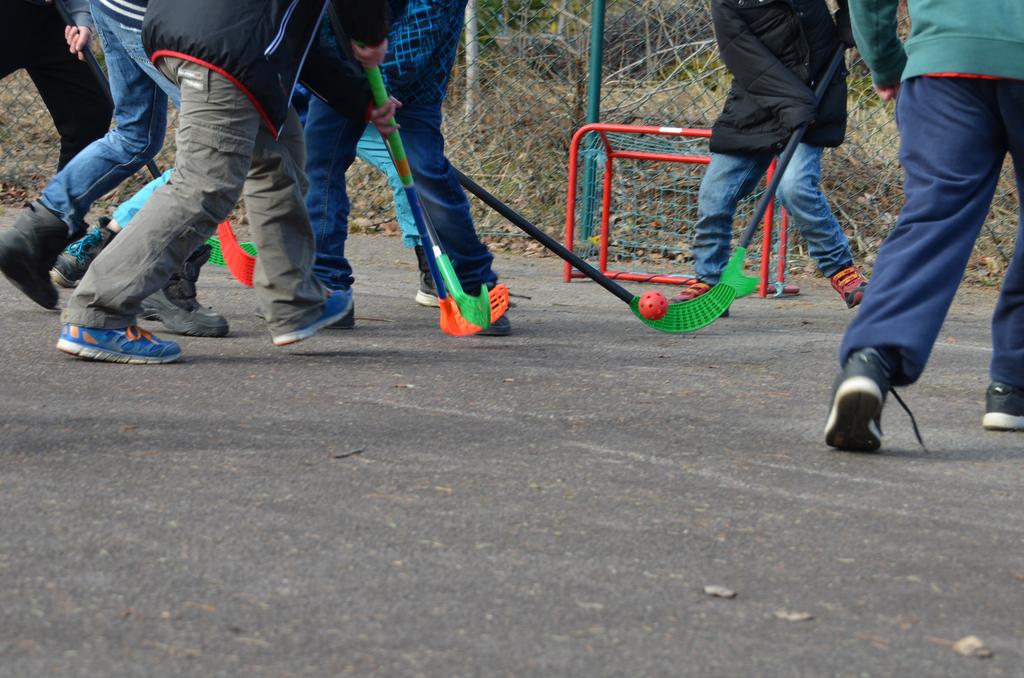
{"x":777,"y":53}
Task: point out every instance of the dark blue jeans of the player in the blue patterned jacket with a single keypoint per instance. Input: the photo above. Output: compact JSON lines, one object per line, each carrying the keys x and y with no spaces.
{"x":331,"y":149}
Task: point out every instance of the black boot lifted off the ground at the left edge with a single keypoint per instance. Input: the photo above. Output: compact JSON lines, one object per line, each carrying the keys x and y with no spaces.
{"x":29,"y":250}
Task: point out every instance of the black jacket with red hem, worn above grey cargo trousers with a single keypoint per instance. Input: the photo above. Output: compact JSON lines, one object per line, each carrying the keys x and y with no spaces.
{"x":261,"y":46}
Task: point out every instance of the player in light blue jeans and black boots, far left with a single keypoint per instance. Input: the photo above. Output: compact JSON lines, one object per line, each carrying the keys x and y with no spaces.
{"x":32,"y":253}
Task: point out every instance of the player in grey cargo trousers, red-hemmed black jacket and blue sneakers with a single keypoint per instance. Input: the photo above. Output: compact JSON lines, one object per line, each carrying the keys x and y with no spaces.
{"x":237,"y":134}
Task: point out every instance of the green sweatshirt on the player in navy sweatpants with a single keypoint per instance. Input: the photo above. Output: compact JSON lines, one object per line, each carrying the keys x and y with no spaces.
{"x":976,"y":37}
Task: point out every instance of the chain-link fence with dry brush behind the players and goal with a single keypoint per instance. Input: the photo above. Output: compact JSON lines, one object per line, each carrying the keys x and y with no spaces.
{"x":520,"y":92}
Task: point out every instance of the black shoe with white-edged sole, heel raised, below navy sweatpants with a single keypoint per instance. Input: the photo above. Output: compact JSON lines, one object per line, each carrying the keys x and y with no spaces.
{"x":851,"y":422}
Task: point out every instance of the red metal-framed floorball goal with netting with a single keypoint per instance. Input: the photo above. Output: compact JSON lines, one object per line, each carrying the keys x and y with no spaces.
{"x":633,"y":203}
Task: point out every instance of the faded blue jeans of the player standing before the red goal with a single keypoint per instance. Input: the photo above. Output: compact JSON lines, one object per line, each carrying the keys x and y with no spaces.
{"x":731,"y":179}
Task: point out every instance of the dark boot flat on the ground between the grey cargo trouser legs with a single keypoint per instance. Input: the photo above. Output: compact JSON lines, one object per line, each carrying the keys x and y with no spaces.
{"x":177,"y":308}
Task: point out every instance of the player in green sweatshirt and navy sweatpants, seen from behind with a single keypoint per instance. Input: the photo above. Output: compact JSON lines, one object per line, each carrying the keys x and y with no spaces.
{"x":960,"y":80}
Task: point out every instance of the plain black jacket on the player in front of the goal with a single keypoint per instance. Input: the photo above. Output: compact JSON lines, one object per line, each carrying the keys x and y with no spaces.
{"x":777,"y":51}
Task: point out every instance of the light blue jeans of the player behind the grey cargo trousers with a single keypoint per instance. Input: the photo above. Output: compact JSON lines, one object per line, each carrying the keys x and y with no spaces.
{"x":141,"y":95}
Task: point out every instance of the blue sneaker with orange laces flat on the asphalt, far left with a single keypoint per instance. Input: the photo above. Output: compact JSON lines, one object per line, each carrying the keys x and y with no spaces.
{"x":132,"y":345}
